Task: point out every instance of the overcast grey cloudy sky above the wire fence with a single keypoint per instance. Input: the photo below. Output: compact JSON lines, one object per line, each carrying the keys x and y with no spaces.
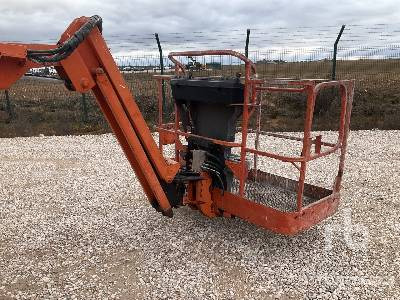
{"x":44,"y":20}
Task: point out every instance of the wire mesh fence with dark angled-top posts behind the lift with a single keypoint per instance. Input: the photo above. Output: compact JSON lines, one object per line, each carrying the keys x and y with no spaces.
{"x":369,"y":54}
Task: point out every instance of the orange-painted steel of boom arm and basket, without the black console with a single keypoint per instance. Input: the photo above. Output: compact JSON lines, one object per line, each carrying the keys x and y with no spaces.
{"x":91,"y":67}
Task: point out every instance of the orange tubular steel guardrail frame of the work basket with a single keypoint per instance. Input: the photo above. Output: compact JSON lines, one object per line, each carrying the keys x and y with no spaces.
{"x":237,"y":205}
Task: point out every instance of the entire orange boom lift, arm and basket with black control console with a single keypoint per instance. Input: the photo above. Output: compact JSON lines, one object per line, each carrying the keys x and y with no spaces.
{"x":210,"y":171}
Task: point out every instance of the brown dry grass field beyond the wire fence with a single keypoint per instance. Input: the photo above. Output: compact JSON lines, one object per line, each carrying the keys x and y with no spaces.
{"x":45,"y":106}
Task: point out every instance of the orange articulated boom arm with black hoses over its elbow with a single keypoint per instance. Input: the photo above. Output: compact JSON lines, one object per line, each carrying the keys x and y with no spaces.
{"x":83,"y":61}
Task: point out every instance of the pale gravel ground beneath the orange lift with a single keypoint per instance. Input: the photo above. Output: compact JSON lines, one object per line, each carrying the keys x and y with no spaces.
{"x":74,"y":224}
